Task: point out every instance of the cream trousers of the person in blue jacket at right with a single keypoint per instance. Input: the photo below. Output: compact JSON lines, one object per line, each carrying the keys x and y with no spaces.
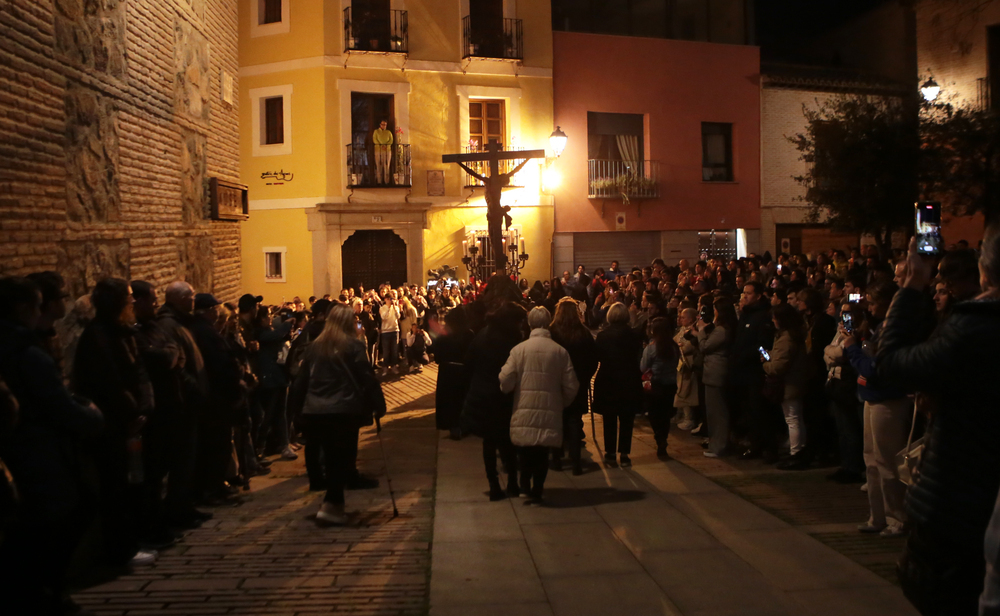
{"x":887,"y":426}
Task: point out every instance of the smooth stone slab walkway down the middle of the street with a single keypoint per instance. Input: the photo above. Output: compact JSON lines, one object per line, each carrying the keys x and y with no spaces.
{"x":658,"y":538}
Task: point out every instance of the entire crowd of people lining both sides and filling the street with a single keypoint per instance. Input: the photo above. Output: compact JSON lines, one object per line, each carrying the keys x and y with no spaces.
{"x":141,"y":416}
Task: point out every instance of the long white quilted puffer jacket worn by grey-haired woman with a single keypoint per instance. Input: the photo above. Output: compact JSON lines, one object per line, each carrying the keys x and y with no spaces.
{"x":541,"y":375}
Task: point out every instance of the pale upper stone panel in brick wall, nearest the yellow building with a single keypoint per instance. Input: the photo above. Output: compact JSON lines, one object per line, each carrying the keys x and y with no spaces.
{"x":191,"y":72}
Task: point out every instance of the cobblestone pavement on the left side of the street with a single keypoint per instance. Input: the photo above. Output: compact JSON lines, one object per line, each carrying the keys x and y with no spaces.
{"x":267,"y":556}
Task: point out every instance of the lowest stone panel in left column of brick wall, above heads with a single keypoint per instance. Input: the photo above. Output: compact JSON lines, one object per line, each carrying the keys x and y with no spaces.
{"x":83,"y":263}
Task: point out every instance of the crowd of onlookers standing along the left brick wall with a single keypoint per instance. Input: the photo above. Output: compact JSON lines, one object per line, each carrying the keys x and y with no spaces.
{"x":139,"y":418}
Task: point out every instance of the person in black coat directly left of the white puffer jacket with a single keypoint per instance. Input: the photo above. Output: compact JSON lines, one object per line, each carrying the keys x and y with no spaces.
{"x":487,"y":410}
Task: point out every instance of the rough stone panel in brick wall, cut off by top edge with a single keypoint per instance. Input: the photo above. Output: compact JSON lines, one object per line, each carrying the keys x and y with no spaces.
{"x":92,"y":34}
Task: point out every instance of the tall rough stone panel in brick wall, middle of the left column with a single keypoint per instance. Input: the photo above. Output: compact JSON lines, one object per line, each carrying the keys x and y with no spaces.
{"x":92,"y":157}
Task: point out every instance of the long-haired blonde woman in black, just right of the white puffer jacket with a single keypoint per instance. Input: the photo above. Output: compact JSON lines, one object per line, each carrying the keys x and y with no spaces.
{"x":569,"y":331}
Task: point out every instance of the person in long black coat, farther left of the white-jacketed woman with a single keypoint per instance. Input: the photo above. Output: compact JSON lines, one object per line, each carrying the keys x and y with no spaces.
{"x":449,"y":352}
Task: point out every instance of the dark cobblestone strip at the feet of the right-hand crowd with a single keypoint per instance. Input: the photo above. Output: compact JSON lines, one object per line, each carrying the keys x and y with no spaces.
{"x":828,"y":512}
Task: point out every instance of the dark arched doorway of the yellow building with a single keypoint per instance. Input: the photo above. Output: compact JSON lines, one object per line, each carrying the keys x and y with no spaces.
{"x":373,"y":257}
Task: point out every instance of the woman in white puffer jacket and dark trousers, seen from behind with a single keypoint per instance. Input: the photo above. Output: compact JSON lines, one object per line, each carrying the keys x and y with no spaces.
{"x":540,"y":373}
